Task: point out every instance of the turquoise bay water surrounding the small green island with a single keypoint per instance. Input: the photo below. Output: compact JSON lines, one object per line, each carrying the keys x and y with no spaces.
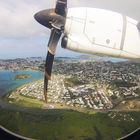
{"x":7,"y":83}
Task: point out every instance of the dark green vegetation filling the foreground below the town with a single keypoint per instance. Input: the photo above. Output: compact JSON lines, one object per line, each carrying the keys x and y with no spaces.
{"x":67,"y":124}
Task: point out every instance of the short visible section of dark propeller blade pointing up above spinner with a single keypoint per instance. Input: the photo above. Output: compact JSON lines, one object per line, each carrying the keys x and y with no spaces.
{"x":61,"y":7}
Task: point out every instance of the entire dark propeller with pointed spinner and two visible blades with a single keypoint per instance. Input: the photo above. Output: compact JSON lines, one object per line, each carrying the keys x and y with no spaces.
{"x":53,"y":19}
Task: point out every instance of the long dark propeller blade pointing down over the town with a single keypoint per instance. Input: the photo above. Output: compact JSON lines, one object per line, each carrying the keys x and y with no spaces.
{"x":53,"y":41}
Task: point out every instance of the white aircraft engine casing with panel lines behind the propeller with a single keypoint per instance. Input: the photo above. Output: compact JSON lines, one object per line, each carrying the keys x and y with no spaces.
{"x":102,"y":32}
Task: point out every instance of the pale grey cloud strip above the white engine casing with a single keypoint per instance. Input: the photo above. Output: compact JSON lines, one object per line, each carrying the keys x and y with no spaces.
{"x":126,"y":7}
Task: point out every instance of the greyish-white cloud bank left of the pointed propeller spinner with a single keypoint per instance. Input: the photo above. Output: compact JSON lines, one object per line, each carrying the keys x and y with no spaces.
{"x":16,"y":18}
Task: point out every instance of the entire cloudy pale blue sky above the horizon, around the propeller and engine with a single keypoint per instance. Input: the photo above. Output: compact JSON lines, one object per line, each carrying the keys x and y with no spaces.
{"x":21,"y":36}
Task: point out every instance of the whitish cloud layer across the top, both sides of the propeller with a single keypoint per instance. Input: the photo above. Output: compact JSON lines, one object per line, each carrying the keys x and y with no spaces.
{"x":16,"y":16}
